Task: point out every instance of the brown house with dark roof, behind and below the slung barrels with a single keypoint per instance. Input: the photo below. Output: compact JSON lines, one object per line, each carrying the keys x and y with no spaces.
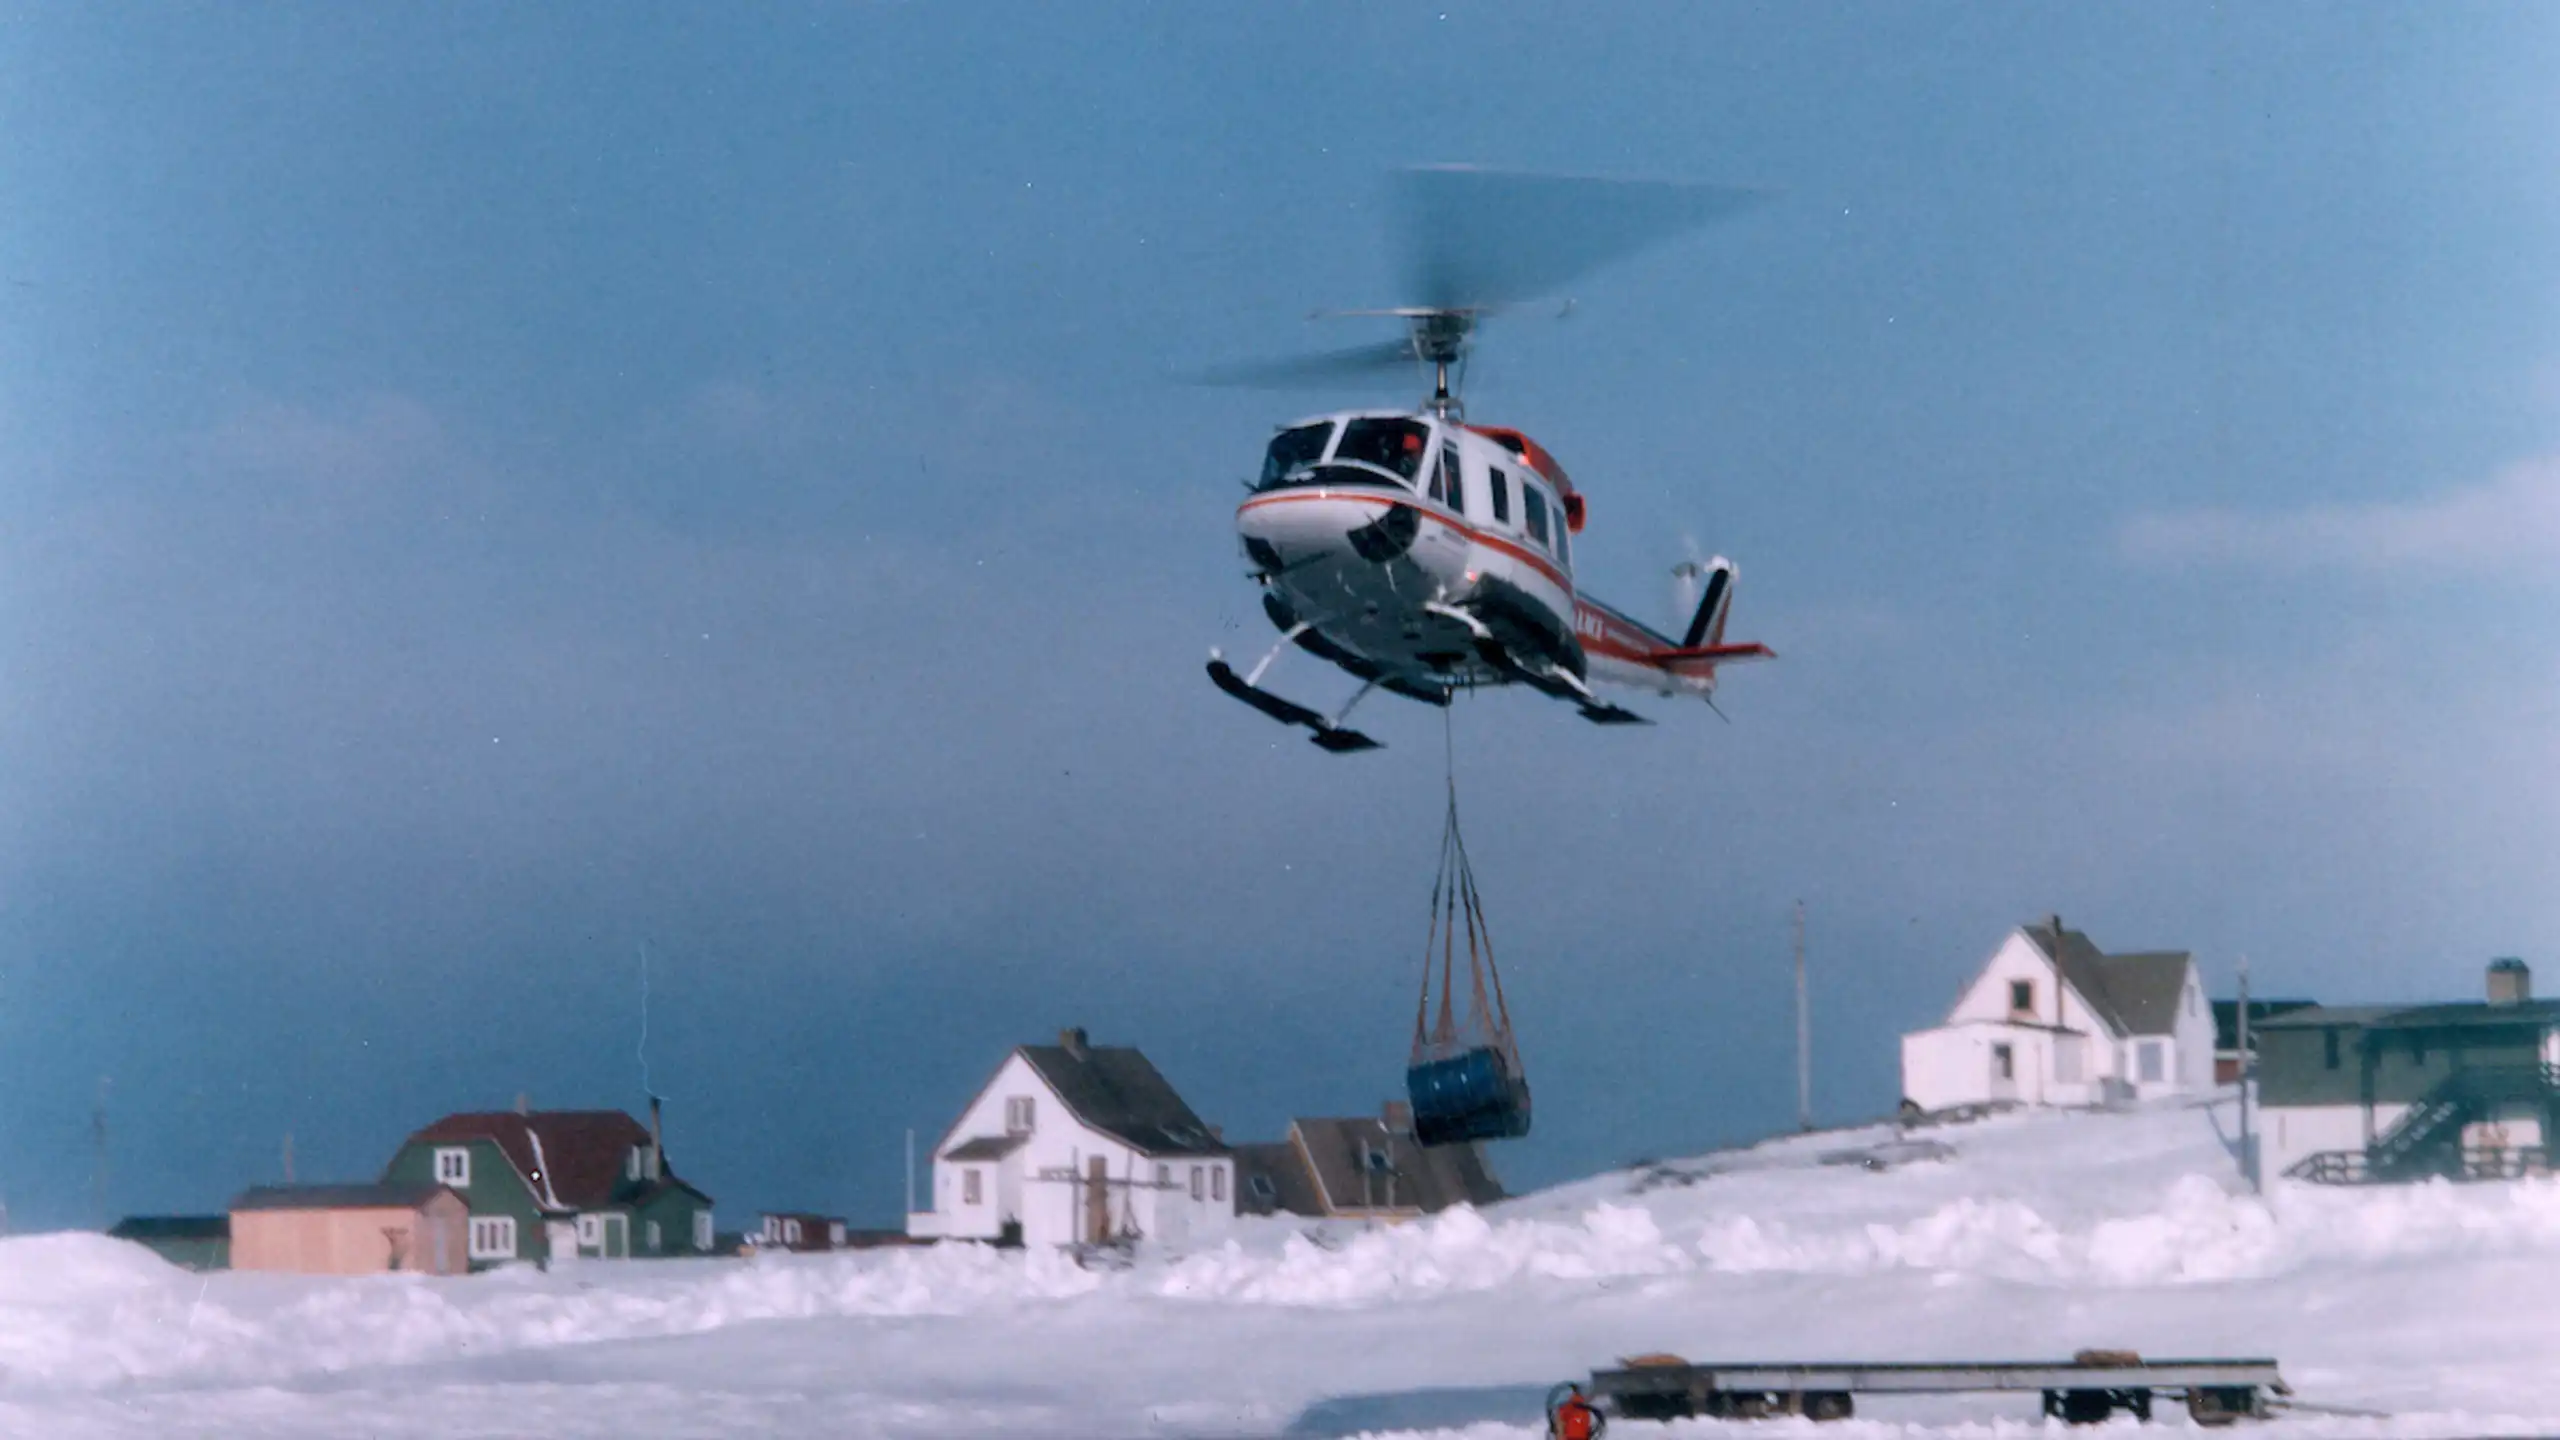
{"x":1361,"y":1170}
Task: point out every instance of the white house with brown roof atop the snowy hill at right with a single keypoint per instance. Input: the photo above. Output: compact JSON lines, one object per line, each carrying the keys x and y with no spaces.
{"x":2052,"y":1021}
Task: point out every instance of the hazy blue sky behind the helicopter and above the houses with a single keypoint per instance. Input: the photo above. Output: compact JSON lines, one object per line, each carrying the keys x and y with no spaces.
{"x":493,"y":493}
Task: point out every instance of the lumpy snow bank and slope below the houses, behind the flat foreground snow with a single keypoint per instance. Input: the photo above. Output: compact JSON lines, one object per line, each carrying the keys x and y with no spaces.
{"x":2144,"y":1203}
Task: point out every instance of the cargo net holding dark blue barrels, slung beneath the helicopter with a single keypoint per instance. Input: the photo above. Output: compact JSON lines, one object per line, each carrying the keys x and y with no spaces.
{"x":1466,"y":1077}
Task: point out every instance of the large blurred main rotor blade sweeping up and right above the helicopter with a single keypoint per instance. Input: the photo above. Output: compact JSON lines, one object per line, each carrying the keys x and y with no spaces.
{"x":1476,"y":240}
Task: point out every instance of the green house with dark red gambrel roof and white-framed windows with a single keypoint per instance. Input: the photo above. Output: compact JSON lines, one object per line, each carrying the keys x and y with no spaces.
{"x":554,"y":1185}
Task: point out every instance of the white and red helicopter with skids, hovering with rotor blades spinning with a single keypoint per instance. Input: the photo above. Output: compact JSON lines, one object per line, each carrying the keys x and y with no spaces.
{"x":1430,"y":555}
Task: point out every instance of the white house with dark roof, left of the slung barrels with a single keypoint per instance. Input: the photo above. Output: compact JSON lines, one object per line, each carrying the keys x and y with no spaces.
{"x":1079,"y":1144}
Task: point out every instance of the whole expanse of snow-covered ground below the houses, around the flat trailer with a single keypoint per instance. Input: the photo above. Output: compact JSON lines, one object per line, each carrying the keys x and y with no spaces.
{"x":2024,"y":1239}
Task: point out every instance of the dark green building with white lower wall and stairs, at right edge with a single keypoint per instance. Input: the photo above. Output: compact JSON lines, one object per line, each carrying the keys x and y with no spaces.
{"x":2400,"y":1093}
